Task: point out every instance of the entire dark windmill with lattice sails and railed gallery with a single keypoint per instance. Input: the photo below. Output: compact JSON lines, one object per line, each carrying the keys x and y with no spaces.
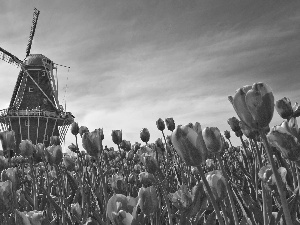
{"x":34,"y":112}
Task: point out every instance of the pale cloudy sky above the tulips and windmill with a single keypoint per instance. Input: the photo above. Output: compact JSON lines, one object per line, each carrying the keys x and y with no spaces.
{"x":134,"y":61}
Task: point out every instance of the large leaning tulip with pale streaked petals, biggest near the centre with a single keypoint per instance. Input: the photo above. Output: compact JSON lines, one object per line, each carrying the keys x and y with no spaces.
{"x":189,"y":144}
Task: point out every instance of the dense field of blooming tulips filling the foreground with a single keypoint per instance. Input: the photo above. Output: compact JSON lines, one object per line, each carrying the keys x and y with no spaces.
{"x":192,"y":176}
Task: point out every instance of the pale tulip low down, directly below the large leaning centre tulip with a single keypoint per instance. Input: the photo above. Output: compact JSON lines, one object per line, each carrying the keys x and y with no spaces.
{"x":216,"y":181}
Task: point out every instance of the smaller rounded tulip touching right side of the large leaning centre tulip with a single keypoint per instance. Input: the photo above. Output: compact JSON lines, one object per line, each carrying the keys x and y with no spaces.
{"x":212,"y":139}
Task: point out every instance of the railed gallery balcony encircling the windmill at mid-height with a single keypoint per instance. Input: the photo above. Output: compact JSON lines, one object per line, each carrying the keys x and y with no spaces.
{"x":34,"y":113}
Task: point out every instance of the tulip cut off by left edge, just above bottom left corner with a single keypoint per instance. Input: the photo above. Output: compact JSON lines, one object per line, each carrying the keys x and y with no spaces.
{"x":6,"y":196}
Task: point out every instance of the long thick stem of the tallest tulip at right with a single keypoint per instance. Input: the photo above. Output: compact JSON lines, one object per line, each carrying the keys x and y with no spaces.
{"x":281,"y":191}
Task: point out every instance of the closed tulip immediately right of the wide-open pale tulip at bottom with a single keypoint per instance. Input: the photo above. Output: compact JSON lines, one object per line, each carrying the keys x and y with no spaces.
{"x":148,"y":200}
